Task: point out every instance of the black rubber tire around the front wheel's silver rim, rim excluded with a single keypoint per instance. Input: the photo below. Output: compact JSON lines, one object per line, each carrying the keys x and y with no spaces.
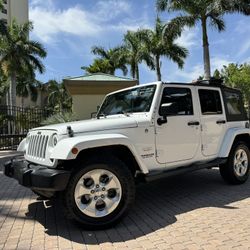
{"x":126,"y":179}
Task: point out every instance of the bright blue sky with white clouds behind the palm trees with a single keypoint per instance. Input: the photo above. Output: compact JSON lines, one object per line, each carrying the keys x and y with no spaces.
{"x":68,"y":30}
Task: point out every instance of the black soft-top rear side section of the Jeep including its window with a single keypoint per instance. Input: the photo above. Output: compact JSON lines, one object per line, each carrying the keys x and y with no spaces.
{"x":234,"y":106}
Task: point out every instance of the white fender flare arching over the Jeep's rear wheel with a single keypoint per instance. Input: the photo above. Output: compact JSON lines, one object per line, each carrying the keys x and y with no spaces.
{"x":229,"y":138}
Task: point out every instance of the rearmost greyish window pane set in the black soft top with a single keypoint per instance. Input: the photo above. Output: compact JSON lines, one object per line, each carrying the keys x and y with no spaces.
{"x":233,"y":103}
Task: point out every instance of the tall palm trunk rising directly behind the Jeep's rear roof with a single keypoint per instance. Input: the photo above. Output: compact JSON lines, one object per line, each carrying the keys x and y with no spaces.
{"x":206,"y":56}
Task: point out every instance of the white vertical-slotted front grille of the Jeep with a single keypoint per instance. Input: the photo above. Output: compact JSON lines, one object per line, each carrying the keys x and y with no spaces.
{"x":37,"y":146}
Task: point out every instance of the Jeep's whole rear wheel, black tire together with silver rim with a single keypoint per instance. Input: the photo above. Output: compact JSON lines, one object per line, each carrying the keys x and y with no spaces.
{"x":237,"y":169}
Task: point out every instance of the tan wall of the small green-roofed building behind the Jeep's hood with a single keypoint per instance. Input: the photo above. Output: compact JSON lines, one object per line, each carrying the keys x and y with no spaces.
{"x":84,"y":105}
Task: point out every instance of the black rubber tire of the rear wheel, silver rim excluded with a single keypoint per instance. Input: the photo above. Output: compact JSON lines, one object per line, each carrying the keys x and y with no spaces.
{"x":227,"y":170}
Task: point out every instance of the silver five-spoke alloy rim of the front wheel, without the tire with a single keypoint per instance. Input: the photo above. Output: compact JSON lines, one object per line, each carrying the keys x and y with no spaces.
{"x":98,"y":193}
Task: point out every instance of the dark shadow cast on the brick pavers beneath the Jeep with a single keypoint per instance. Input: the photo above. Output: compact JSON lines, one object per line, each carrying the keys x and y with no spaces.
{"x":156,"y":207}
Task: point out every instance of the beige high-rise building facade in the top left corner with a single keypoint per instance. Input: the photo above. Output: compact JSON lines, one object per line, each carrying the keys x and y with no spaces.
{"x":15,"y":9}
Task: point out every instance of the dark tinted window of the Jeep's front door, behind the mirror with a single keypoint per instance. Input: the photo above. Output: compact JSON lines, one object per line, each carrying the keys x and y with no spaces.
{"x":178,"y":101}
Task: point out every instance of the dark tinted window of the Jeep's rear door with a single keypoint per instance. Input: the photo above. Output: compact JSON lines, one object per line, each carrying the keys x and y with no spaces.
{"x":210,"y":102}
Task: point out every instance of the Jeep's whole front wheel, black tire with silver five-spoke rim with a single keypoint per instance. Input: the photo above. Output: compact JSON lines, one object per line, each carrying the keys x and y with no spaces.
{"x":100,"y":193}
